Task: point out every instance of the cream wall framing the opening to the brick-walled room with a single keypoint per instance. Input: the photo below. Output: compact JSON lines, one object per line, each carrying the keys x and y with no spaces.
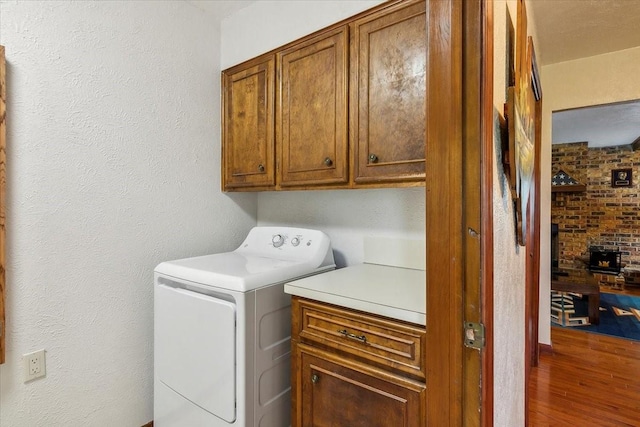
{"x":601,"y":79}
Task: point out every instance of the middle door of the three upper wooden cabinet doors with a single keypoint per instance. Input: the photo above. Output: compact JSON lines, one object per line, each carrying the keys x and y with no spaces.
{"x":311,"y":122}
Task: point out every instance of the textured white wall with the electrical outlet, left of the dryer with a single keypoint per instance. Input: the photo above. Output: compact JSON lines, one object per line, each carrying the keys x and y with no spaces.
{"x":113,"y":166}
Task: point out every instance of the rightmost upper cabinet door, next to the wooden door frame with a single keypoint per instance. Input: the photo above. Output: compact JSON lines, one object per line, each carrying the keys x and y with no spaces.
{"x":389,"y":56}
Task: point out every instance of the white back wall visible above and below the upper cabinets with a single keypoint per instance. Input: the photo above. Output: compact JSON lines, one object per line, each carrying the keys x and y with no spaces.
{"x":345,"y":215}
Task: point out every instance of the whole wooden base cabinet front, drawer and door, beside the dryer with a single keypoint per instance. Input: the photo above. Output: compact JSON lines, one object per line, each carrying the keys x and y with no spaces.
{"x":354,"y":369}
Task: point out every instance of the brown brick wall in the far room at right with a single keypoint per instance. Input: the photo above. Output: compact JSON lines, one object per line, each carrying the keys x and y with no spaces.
{"x":602,"y":216}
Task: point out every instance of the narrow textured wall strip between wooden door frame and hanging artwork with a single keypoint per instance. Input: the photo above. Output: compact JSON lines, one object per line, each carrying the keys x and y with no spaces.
{"x":509,"y":258}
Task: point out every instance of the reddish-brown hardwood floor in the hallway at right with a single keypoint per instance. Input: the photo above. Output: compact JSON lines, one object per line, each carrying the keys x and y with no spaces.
{"x":588,"y":380}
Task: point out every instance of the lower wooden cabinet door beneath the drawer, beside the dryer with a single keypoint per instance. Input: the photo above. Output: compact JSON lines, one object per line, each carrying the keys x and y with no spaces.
{"x":338,"y":392}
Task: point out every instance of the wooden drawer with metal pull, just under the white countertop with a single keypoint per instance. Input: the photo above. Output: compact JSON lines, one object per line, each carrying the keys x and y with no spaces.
{"x":385,"y":342}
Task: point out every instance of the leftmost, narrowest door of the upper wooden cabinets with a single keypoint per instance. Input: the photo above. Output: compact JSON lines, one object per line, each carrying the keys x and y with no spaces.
{"x":248,"y":128}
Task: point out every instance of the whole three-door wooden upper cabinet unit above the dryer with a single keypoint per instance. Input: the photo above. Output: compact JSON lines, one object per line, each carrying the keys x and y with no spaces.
{"x":348,"y":111}
